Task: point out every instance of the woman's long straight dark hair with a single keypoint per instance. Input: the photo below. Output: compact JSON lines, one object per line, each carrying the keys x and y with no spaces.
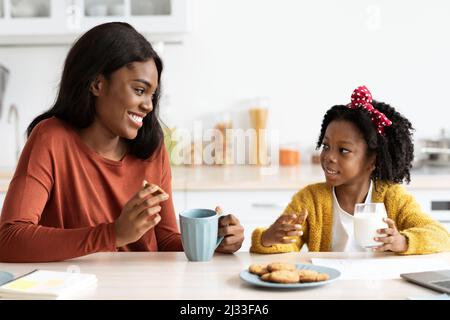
{"x":103,"y":50}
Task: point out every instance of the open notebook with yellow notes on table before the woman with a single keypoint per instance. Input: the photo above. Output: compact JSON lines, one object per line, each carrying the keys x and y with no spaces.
{"x":45,"y":284}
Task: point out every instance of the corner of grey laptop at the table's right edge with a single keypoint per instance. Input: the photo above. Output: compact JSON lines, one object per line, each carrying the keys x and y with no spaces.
{"x":436,"y":280}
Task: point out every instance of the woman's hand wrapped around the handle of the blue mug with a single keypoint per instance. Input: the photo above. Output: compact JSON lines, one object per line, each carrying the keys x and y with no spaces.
{"x":232,"y":231}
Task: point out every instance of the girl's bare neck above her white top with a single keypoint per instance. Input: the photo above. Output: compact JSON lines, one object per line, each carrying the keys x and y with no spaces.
{"x":350,"y":194}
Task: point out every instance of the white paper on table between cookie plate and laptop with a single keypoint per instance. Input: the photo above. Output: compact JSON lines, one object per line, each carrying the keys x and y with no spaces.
{"x":380,"y":269}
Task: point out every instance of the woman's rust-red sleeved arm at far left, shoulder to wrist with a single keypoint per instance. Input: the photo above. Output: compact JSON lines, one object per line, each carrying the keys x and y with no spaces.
{"x":23,"y":235}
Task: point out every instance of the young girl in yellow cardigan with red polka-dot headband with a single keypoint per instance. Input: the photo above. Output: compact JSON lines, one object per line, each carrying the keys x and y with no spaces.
{"x":367,"y":152}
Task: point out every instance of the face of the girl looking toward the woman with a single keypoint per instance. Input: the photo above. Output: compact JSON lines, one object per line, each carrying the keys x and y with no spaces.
{"x":344,"y":155}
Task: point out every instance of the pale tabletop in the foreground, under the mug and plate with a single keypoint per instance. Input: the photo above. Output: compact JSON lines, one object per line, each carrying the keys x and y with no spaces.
{"x":169,"y":276}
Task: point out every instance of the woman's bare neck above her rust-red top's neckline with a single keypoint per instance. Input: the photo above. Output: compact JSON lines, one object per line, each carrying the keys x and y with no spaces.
{"x":103,"y":141}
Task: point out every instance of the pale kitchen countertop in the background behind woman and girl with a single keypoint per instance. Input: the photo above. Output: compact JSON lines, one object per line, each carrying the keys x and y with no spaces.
{"x":199,"y":178}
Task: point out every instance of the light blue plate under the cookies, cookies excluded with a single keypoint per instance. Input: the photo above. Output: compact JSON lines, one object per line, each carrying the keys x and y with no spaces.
{"x":255,"y":280}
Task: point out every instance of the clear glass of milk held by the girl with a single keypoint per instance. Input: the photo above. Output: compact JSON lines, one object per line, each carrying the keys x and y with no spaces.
{"x":368,"y":218}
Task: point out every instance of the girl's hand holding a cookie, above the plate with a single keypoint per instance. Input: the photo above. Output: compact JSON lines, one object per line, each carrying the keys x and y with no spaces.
{"x":288,"y":225}
